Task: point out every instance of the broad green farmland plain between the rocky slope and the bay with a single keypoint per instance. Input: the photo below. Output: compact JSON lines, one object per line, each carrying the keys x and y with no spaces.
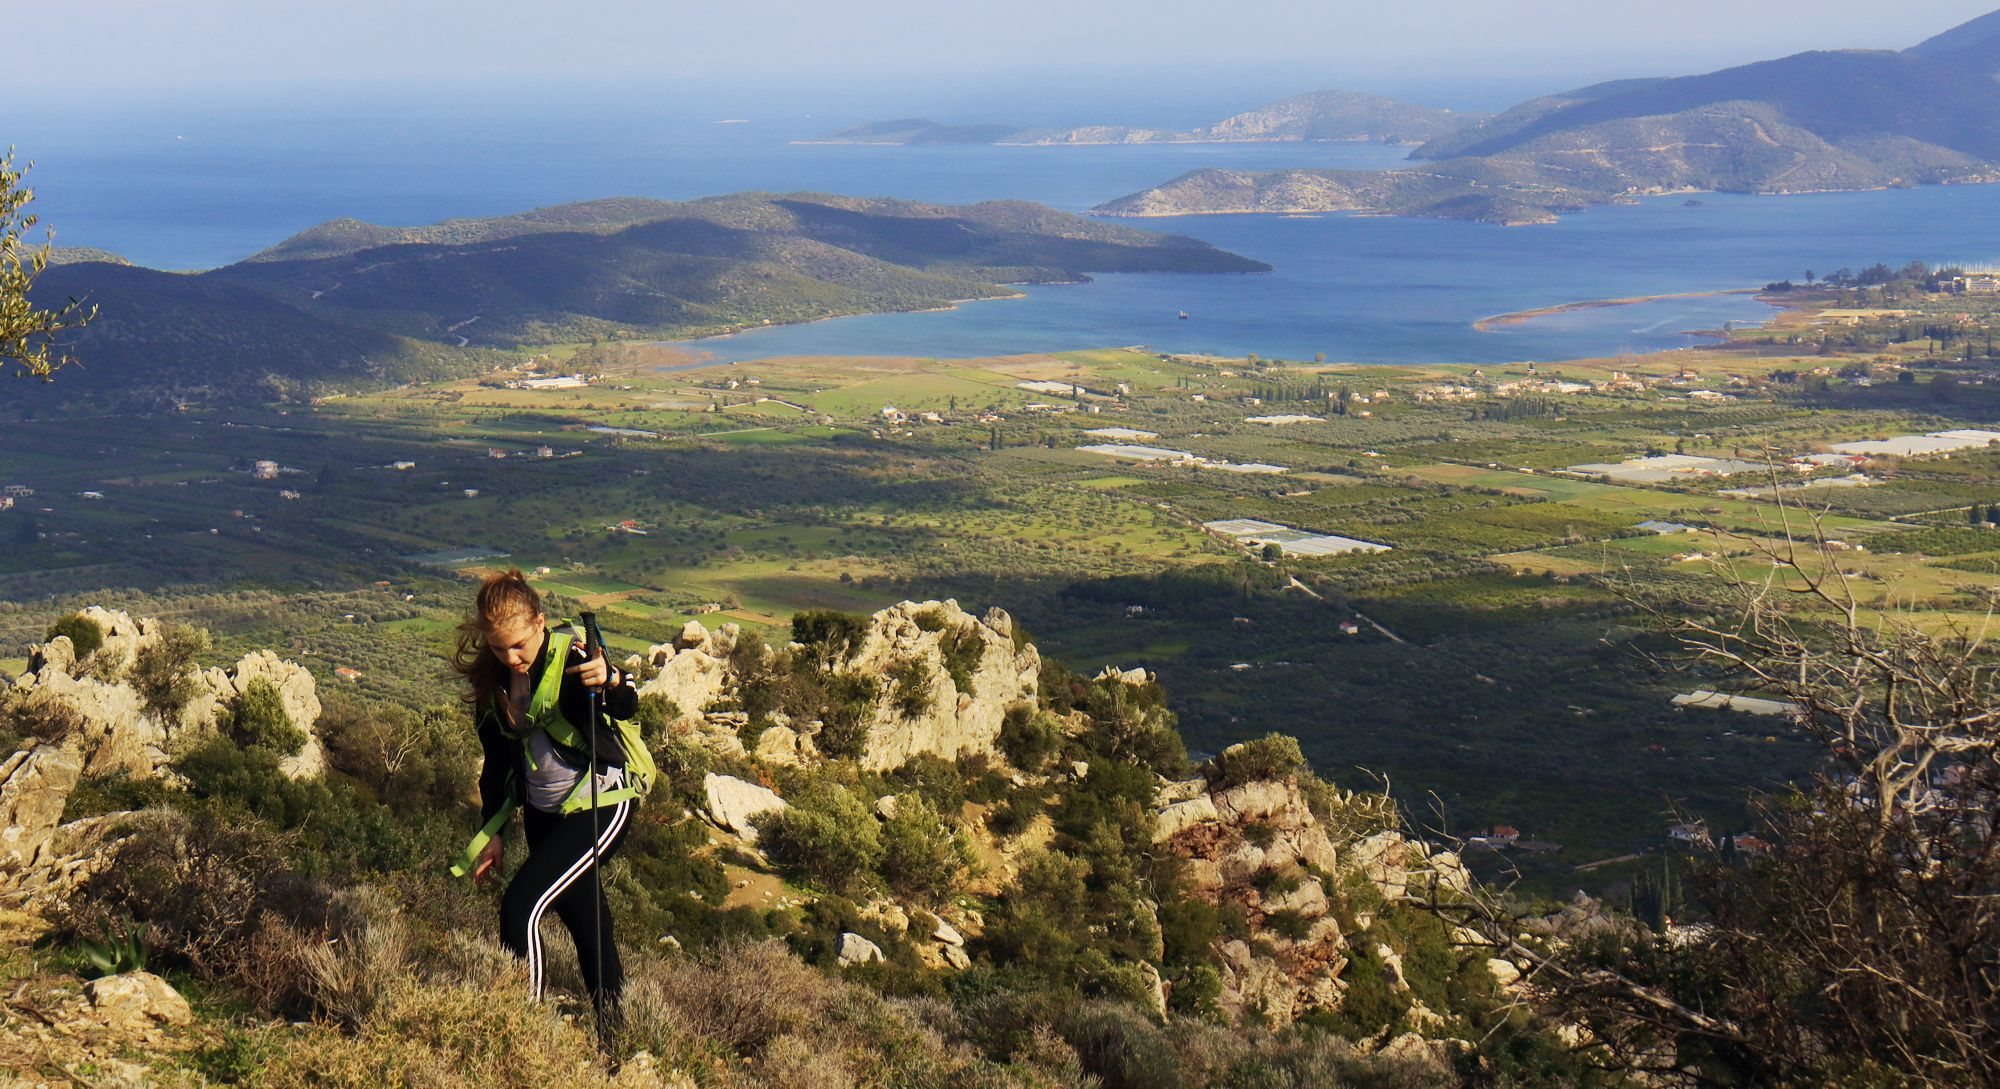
{"x":1503,"y":586}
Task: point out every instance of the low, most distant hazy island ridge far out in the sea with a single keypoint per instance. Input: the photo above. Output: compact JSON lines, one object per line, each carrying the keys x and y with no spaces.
{"x":1323,"y":115}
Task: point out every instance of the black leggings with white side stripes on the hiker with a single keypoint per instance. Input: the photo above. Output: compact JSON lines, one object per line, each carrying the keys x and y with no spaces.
{"x":559,"y":876}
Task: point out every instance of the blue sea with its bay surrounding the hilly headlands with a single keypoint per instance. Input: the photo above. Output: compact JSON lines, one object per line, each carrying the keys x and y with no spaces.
{"x":203,"y":187}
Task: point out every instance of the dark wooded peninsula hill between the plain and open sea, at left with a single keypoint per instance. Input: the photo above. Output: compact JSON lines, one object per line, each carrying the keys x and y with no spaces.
{"x":349,"y":305}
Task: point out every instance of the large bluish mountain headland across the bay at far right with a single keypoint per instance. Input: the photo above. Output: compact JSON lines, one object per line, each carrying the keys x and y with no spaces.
{"x":1807,"y":123}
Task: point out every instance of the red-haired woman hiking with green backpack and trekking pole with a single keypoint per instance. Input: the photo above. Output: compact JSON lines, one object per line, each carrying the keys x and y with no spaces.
{"x":543,"y":704}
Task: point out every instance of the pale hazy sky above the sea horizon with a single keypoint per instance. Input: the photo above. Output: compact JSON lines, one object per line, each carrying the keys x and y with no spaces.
{"x":93,"y":47}
